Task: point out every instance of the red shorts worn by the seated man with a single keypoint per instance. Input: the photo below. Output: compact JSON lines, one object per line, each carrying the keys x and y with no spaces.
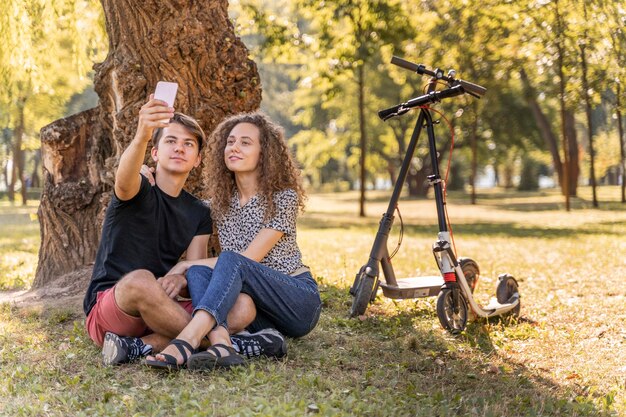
{"x":106,"y":316}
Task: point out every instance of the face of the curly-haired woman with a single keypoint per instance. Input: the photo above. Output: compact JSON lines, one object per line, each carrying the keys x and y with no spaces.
{"x":243,"y":148}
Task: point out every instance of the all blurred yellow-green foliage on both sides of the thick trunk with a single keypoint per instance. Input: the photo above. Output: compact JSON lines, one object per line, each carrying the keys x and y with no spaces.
{"x":554,"y":70}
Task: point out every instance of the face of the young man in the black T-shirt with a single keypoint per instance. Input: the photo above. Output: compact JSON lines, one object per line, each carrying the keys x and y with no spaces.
{"x":177,"y":150}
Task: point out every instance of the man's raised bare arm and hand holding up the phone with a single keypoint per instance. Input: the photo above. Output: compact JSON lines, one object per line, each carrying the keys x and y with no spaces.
{"x":127,"y":177}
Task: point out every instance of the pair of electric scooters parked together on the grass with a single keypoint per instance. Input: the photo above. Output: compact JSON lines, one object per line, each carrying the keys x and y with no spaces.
{"x":455,"y":286}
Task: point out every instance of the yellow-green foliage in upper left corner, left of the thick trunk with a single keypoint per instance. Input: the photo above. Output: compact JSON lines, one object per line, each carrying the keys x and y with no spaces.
{"x":47,"y":49}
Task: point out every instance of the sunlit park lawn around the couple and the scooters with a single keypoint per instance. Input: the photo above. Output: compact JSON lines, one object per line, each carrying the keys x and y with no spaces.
{"x":566,"y":355}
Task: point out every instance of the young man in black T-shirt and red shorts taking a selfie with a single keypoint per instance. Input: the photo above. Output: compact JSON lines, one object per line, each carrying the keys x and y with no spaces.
{"x":131,"y":302}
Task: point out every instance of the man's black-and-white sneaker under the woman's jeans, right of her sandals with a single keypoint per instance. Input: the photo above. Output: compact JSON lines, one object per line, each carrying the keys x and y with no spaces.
{"x":266,"y":342}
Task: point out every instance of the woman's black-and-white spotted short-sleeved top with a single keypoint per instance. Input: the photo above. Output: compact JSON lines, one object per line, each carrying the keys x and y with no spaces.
{"x":241,"y":225}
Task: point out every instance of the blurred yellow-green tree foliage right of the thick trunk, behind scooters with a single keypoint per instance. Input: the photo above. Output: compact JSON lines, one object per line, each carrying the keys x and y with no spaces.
{"x":541,"y":60}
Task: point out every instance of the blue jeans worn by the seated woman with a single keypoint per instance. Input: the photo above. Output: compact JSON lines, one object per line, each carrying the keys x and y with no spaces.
{"x":290,"y":304}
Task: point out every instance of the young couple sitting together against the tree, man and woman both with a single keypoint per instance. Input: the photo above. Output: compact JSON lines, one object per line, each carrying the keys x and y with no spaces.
{"x":244,"y":300}
